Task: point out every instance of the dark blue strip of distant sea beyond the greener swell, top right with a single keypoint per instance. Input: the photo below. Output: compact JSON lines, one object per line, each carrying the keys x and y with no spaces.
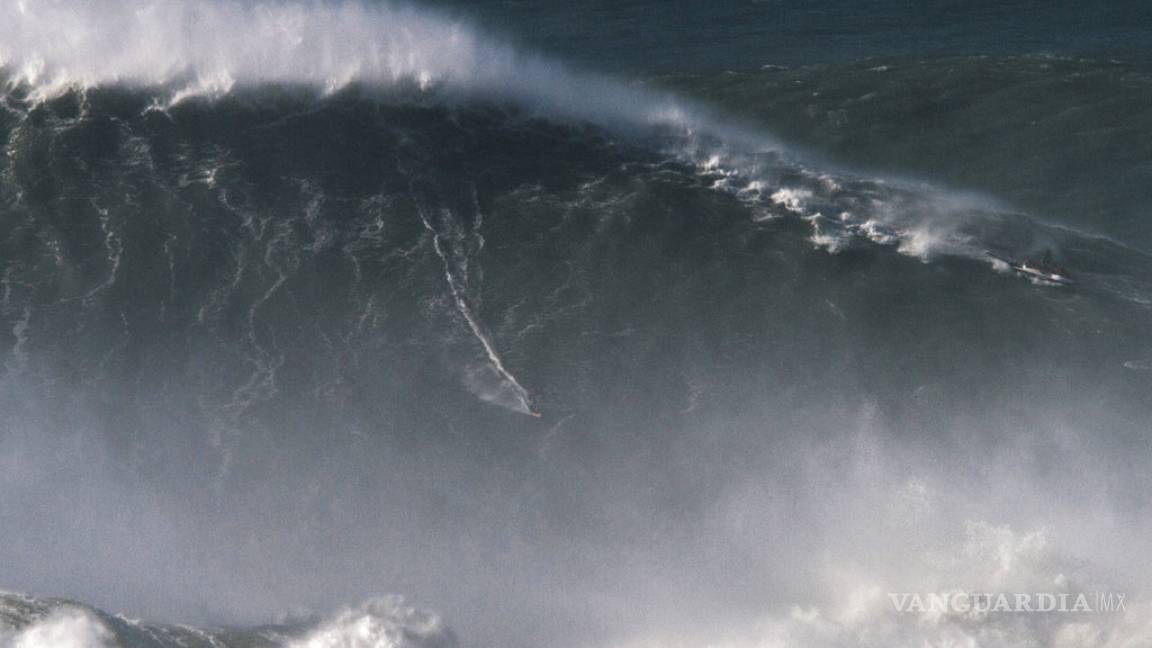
{"x":646,"y":37}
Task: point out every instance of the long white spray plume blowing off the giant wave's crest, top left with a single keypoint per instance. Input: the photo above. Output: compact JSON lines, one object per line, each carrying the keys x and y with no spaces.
{"x":211,"y":48}
